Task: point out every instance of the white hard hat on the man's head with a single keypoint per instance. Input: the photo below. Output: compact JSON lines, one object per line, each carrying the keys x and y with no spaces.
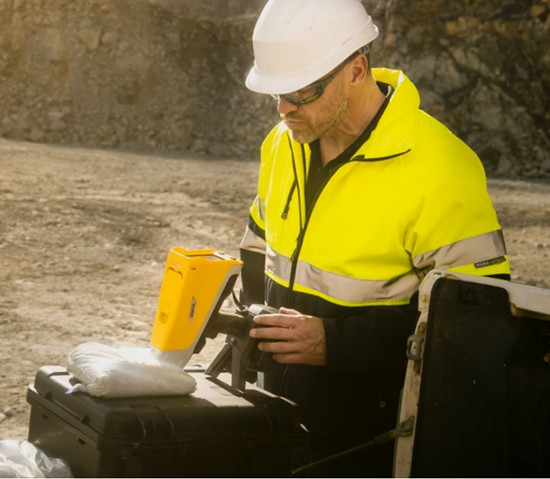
{"x":296,"y":42}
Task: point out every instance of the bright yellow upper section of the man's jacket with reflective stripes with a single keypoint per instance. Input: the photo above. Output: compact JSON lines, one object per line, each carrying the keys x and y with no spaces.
{"x":412,"y":198}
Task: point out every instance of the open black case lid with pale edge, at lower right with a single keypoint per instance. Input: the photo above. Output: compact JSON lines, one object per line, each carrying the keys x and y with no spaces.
{"x":478,"y":381}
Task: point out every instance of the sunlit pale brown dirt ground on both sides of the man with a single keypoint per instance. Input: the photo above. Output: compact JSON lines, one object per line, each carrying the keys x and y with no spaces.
{"x":84,"y":236}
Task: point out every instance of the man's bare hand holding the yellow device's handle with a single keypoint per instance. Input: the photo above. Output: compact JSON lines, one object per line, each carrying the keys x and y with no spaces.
{"x":300,"y":339}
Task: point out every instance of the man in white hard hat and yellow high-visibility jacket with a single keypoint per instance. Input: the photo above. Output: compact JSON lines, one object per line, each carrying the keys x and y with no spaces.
{"x":360,"y":194}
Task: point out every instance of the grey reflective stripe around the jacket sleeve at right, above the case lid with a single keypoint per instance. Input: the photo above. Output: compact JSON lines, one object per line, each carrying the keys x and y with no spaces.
{"x":469,"y":251}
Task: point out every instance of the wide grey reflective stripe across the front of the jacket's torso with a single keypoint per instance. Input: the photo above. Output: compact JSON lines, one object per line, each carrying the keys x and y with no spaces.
{"x":343,"y":288}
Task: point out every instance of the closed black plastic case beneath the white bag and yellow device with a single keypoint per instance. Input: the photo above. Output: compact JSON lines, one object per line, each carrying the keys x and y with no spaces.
{"x":213,"y":432}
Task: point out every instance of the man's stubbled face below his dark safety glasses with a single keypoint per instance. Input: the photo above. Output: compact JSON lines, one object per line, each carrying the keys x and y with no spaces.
{"x":311,"y":121}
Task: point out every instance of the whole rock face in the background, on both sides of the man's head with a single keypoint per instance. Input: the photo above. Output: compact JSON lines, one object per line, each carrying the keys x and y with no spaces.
{"x":167,"y":75}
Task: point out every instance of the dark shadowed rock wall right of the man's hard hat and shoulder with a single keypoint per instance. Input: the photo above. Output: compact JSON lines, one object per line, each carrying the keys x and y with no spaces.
{"x":483,"y":67}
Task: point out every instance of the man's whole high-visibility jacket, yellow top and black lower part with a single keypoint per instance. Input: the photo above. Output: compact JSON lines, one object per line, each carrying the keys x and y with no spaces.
{"x":413,"y":197}
